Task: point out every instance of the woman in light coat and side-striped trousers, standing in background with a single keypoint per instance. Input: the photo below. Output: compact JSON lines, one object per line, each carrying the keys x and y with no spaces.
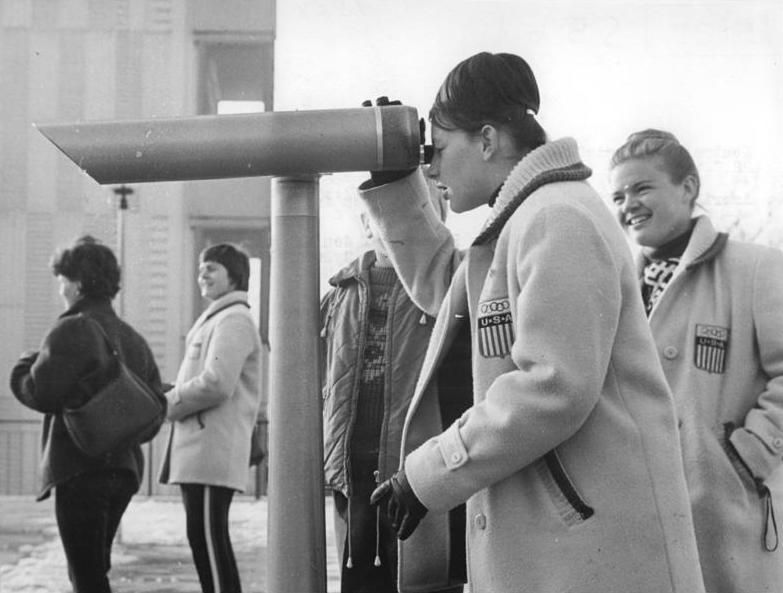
{"x":213,"y":407}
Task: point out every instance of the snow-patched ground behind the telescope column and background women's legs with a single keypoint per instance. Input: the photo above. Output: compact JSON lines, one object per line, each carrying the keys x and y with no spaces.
{"x":150,"y":554}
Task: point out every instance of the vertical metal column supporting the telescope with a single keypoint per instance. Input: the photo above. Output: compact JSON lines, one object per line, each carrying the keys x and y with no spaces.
{"x":296,"y":526}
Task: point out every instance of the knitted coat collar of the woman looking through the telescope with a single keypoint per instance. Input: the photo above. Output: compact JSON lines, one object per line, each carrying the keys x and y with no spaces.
{"x":554,"y":161}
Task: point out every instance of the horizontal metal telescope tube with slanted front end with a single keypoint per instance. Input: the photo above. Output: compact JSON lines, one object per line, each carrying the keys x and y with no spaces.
{"x":278,"y":143}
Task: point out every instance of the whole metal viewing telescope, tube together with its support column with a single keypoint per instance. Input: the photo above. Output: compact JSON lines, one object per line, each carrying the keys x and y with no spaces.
{"x":295,"y":147}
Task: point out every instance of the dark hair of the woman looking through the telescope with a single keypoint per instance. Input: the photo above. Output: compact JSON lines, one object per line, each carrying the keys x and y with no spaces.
{"x":498,"y":89}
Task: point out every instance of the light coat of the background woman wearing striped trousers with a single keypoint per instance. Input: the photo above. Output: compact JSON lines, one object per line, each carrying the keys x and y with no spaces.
{"x":216,"y":398}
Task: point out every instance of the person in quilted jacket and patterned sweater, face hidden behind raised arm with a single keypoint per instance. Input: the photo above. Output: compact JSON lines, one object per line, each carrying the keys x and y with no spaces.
{"x":373,"y":344}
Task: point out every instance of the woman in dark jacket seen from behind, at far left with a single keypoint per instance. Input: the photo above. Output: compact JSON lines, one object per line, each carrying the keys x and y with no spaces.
{"x":91,"y":493}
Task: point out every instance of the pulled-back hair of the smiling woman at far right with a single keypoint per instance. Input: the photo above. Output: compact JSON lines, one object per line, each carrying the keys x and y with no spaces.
{"x":657,"y":143}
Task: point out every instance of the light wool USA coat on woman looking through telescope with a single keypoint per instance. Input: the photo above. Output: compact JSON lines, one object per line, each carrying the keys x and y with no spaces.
{"x":569,"y":459}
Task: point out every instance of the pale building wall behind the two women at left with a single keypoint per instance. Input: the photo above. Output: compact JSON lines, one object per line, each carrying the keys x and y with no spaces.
{"x":71,"y":60}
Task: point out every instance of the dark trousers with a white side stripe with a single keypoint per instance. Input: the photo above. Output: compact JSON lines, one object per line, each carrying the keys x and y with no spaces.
{"x":206,"y":512}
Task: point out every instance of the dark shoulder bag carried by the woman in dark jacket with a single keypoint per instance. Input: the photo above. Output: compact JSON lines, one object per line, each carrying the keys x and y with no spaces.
{"x":122,"y":413}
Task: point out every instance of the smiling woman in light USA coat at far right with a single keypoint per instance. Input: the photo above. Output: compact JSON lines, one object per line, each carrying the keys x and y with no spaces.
{"x":715,"y":307}
